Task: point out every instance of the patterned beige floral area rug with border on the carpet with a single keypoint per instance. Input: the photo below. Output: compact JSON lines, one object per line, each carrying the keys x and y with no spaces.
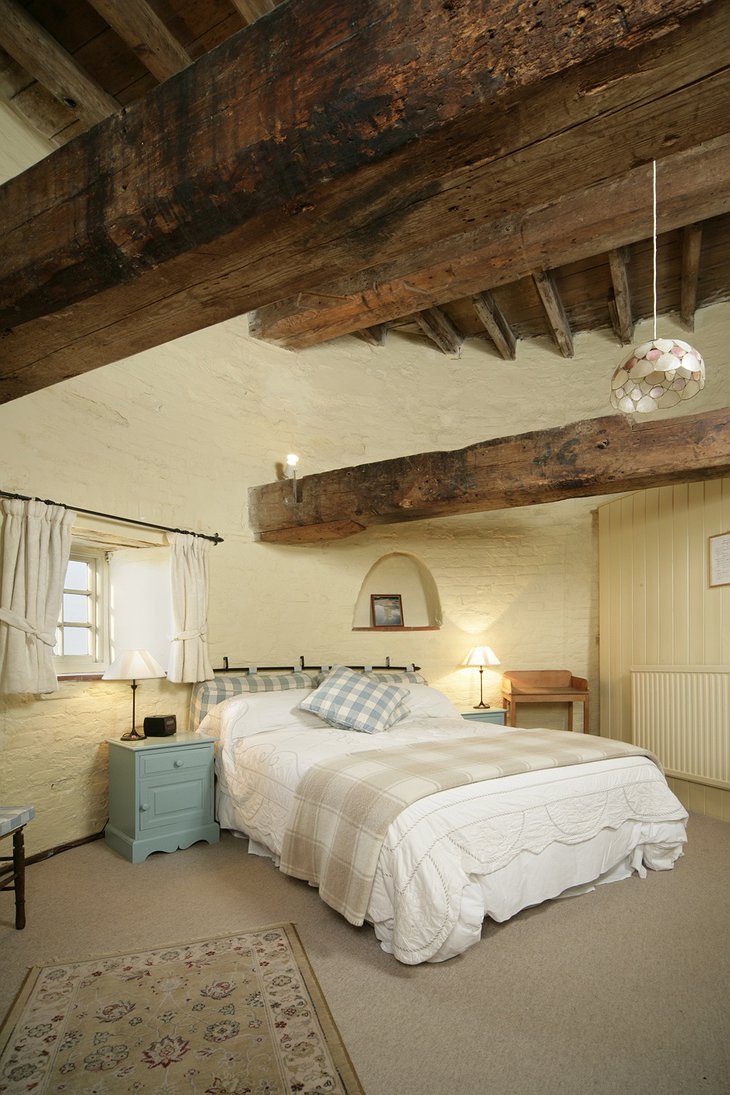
{"x":239,"y":1016}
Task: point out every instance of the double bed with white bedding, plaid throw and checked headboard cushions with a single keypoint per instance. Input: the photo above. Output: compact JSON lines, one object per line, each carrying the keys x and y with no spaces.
{"x":465,"y":849}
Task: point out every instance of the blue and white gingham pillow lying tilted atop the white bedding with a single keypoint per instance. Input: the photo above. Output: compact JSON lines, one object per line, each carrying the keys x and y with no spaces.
{"x":354,"y":702}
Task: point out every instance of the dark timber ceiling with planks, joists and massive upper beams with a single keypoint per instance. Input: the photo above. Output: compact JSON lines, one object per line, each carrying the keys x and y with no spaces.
{"x":439,"y":171}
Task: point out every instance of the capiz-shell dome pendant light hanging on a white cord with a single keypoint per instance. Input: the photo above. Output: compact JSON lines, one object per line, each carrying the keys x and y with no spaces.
{"x":659,"y":374}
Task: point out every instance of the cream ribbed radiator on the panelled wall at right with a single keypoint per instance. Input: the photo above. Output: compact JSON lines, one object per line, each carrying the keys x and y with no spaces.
{"x":682,"y":713}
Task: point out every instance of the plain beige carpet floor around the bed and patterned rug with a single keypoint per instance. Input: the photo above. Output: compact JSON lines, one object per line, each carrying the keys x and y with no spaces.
{"x":625,"y":990}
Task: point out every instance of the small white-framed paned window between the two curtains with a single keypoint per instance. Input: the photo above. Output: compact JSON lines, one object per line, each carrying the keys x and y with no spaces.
{"x":83,"y":637}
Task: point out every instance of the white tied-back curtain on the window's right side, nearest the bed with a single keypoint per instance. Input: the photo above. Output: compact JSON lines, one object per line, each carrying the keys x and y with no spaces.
{"x":189,"y":652}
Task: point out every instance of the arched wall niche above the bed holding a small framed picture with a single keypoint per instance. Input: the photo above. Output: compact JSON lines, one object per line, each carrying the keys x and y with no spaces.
{"x":405,"y":574}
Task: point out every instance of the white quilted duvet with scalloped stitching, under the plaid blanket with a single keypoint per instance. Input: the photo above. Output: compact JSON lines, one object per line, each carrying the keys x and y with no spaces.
{"x":453,"y":859}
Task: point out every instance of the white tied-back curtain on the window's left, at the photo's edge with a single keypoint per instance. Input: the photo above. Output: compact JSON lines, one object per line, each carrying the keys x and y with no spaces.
{"x":37,"y":543}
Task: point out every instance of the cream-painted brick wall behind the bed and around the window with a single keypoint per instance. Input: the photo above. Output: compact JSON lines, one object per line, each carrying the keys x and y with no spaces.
{"x":177,"y":435}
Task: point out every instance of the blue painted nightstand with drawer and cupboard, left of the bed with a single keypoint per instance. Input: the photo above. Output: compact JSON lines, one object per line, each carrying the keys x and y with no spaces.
{"x":161,"y":796}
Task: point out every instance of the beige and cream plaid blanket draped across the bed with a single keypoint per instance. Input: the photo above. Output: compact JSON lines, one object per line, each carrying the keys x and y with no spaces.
{"x":343,"y":809}
